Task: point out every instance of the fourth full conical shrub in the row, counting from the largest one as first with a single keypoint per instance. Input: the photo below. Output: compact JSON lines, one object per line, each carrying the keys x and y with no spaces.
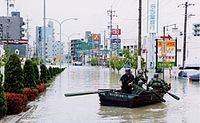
{"x":43,"y":73}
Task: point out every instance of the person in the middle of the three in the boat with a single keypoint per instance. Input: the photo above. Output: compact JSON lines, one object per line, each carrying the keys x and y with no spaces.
{"x":141,"y":78}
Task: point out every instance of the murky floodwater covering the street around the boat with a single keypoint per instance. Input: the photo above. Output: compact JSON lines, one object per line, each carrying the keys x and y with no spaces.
{"x":54,"y":107}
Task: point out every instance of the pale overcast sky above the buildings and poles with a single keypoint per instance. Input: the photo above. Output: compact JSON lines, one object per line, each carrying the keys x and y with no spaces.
{"x":93,"y":15}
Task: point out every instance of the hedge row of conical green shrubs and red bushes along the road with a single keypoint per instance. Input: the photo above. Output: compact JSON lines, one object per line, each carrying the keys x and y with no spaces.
{"x":22,"y":84}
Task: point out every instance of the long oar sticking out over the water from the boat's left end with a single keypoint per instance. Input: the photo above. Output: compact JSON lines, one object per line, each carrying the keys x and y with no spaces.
{"x":88,"y":92}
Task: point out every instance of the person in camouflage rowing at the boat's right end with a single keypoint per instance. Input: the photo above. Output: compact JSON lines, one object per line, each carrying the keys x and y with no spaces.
{"x":158,"y":84}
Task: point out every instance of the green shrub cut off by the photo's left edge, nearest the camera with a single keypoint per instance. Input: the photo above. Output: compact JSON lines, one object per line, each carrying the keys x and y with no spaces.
{"x":3,"y":103}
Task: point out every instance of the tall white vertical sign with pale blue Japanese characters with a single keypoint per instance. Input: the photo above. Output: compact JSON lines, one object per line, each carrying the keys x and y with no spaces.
{"x":152,"y":17}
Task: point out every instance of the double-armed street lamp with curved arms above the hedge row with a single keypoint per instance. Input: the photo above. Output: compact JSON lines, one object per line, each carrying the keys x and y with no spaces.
{"x":60,"y":32}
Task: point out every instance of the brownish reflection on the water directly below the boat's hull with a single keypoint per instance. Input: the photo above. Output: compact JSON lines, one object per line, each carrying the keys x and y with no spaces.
{"x":153,"y":113}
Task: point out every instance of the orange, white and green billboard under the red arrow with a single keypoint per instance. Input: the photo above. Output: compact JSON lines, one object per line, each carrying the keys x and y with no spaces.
{"x":166,"y":55}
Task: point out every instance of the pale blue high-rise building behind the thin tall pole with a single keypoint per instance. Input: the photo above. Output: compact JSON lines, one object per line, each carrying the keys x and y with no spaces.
{"x":49,"y":45}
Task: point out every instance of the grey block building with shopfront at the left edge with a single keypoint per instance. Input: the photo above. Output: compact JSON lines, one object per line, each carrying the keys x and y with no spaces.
{"x":11,"y":34}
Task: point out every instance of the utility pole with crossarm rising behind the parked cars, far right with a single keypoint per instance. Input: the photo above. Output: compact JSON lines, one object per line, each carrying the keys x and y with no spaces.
{"x":186,"y":5}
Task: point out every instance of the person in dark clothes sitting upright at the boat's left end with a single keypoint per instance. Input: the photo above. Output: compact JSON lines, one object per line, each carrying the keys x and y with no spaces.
{"x":127,"y":80}
